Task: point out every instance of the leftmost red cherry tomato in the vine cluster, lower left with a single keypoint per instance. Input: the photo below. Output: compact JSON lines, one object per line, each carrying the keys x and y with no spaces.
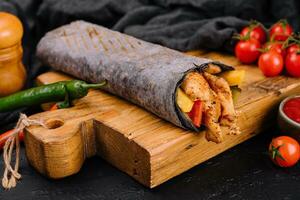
{"x":247,"y":50}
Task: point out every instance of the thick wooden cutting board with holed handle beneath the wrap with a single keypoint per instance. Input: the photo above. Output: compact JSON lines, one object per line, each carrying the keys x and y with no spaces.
{"x":137,"y":142}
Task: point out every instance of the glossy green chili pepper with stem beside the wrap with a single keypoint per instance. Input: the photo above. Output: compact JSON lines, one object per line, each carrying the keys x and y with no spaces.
{"x":64,"y":91}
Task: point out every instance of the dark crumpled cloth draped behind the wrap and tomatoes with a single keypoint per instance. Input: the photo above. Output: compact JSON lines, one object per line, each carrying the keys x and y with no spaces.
{"x":178,"y":24}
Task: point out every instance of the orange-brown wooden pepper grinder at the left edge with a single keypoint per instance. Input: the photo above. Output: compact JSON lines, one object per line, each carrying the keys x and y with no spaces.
{"x":12,"y":71}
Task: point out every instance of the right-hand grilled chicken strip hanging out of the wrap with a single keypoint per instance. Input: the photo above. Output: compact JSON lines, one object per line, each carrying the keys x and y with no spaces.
{"x":222,"y":89}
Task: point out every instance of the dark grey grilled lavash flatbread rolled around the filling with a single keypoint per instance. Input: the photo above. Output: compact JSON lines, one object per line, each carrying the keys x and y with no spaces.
{"x":143,"y":73}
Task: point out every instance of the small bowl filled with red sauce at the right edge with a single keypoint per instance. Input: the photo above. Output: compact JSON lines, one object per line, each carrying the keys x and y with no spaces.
{"x":289,"y":116}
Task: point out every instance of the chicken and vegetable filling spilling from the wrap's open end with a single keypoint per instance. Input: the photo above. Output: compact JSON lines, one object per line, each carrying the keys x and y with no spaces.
{"x":208,"y":99}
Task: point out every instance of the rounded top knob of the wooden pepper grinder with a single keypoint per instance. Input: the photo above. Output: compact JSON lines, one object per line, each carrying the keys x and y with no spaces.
{"x":11,"y":30}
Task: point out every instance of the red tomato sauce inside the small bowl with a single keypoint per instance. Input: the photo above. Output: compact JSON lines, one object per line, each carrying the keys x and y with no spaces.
{"x":292,"y":109}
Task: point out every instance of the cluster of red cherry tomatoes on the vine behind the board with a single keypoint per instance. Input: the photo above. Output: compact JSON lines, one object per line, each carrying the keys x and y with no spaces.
{"x":282,"y":48}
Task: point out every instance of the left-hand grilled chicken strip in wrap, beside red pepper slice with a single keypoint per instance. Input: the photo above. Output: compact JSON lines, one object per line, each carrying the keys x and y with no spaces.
{"x":196,"y":87}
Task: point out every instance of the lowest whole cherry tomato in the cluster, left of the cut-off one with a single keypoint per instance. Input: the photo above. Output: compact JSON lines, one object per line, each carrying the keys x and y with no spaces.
{"x":270,"y":63}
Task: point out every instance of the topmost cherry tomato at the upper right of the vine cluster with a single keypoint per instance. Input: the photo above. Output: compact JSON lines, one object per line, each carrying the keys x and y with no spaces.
{"x":281,"y":30}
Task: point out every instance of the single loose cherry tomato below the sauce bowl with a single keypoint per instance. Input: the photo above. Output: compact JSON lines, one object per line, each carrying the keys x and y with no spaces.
{"x":284,"y":151}
